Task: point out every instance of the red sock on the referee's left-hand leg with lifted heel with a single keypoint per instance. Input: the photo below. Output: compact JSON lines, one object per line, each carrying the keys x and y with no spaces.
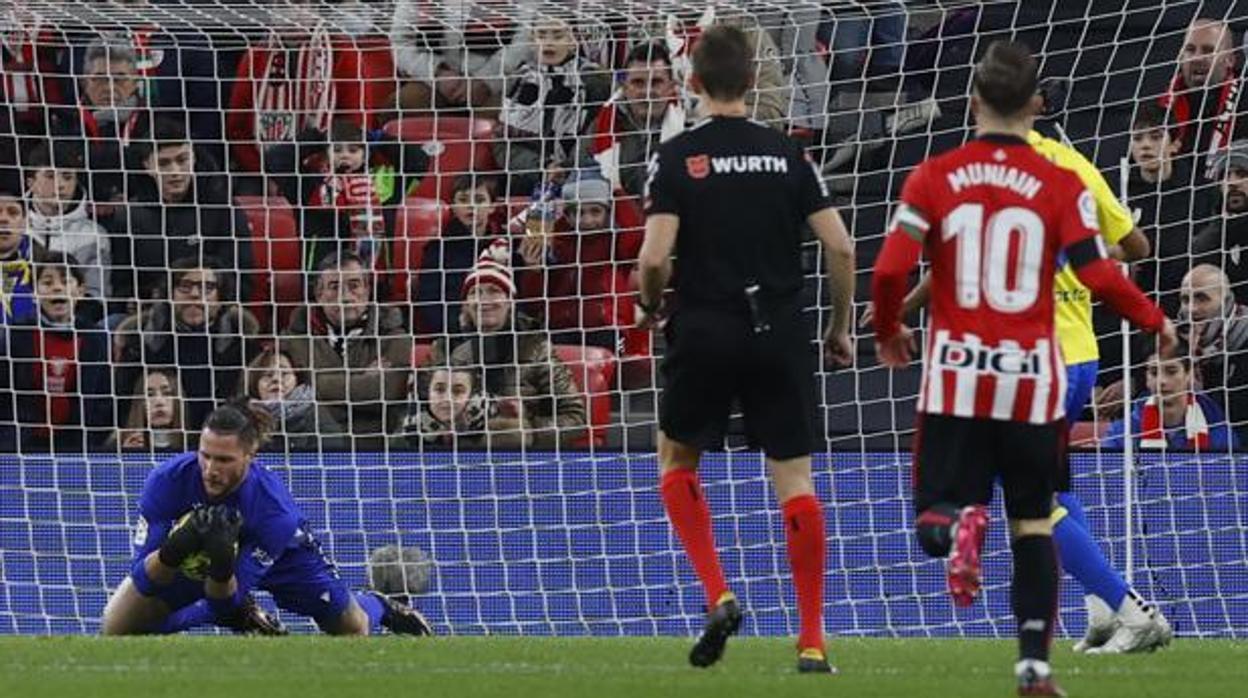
{"x":691,"y":516}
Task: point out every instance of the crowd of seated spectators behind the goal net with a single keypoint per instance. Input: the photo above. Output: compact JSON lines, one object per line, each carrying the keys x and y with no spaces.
{"x":429,"y":237}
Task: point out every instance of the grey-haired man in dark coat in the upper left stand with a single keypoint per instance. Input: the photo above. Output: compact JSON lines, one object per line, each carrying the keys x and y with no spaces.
{"x":112,"y":113}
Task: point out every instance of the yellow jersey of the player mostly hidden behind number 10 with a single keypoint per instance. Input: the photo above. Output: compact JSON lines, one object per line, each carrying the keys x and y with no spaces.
{"x":1074,"y":302}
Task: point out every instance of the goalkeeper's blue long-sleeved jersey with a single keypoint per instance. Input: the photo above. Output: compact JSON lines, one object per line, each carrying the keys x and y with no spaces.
{"x":274,"y":541}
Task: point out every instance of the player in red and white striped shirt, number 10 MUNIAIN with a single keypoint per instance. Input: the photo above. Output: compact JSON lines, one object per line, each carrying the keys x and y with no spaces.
{"x":994,"y":219}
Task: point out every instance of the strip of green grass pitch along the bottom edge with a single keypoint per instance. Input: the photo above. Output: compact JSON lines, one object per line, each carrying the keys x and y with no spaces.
{"x":515,"y":667}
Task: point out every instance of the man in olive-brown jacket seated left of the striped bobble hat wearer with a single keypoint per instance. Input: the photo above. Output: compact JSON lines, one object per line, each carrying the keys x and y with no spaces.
{"x":359,"y":351}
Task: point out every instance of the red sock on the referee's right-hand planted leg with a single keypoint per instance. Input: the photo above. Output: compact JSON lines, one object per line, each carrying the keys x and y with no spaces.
{"x":804,"y":529}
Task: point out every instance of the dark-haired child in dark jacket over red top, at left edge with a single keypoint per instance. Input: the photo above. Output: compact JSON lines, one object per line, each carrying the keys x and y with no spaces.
{"x":61,"y":365}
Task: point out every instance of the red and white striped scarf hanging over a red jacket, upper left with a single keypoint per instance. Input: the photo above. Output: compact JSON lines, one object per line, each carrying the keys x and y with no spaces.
{"x":298,"y":97}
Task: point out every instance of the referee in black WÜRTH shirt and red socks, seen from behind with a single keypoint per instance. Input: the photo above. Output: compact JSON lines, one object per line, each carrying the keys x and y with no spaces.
{"x":729,"y":198}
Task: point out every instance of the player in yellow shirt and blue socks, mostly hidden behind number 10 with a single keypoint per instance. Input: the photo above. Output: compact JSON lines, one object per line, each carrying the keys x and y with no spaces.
{"x":1119,"y":619}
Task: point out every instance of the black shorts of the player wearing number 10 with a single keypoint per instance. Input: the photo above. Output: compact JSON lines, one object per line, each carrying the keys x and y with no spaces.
{"x":958,"y":460}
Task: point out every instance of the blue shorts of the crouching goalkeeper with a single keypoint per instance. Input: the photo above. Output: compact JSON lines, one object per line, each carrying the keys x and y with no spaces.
{"x":303,"y":581}
